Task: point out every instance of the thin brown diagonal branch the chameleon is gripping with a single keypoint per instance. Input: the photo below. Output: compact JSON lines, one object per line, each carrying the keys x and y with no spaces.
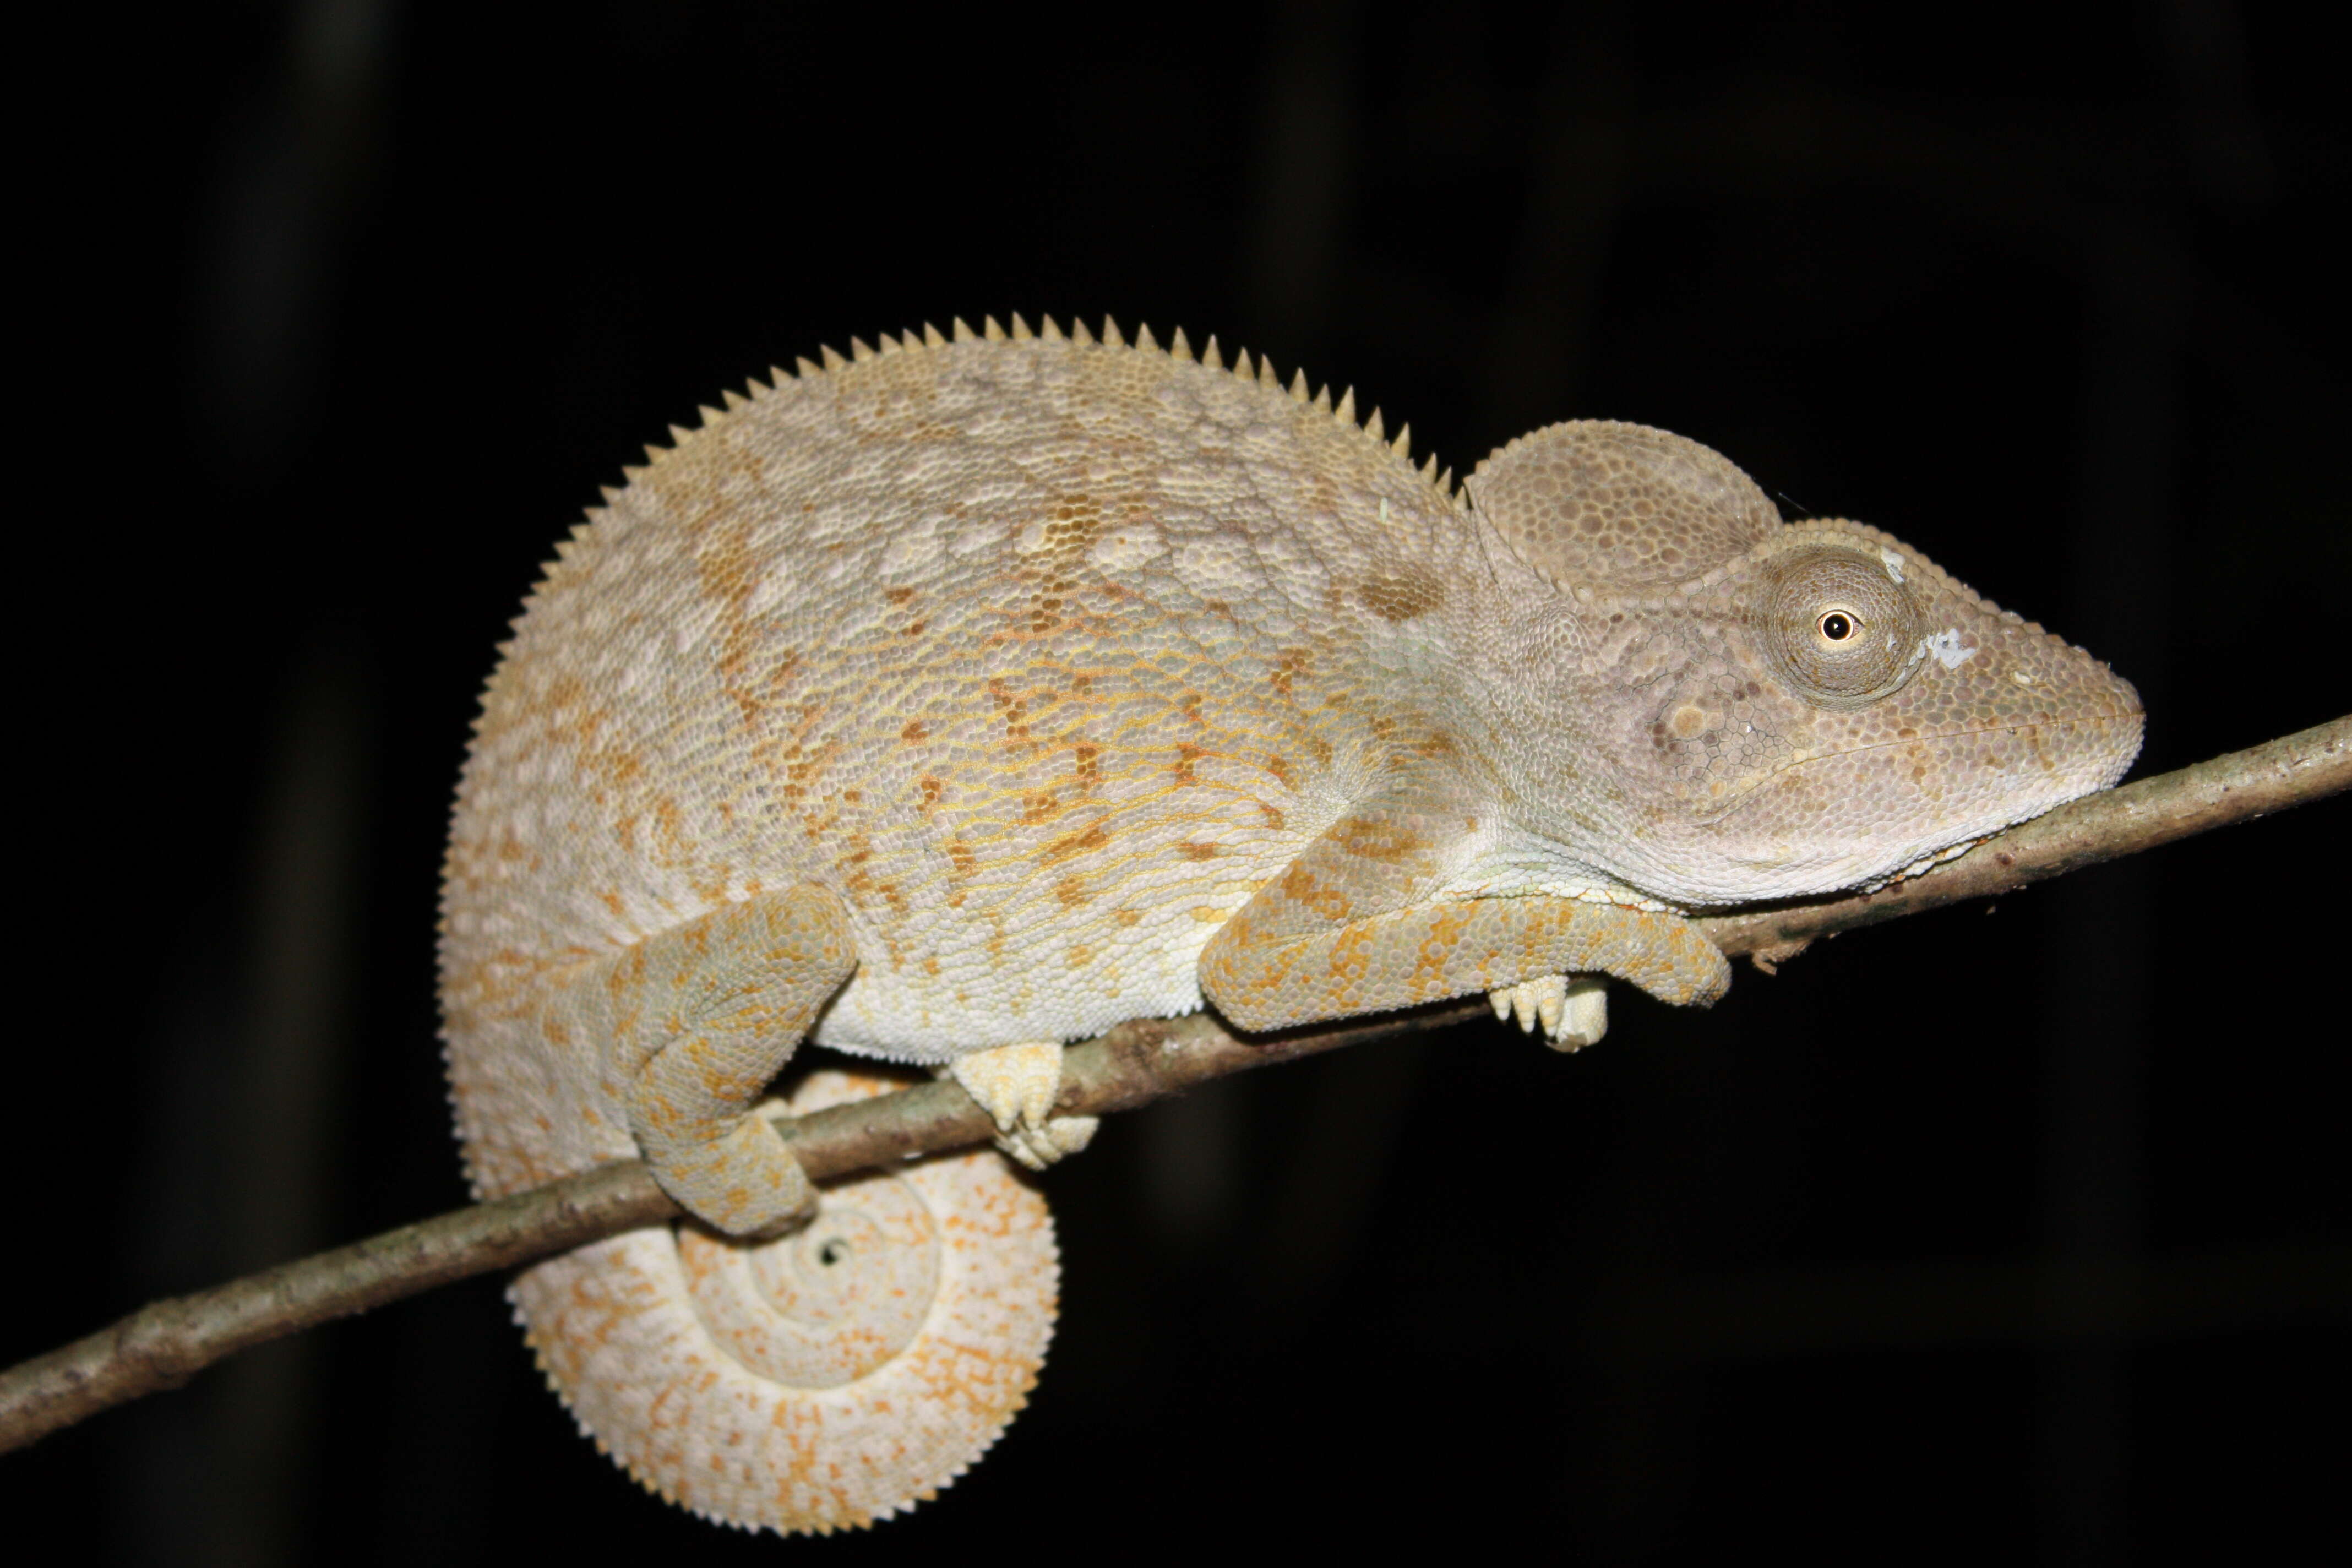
{"x":171,"y":1341}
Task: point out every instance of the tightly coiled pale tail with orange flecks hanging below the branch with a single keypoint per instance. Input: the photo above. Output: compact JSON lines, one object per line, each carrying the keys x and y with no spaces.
{"x":820,"y":1381}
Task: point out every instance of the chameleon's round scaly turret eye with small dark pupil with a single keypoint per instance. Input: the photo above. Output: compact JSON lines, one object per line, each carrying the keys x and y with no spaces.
{"x":1838,"y":629}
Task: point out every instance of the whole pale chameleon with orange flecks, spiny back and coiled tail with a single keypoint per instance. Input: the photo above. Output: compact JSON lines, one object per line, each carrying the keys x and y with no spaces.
{"x":973,"y":695}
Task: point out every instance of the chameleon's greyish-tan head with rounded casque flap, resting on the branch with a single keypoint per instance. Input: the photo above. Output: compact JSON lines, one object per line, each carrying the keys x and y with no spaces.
{"x":1782,"y":709}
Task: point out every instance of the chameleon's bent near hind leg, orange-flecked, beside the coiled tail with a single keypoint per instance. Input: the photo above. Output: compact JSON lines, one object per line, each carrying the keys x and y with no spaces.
{"x":704,"y":1017}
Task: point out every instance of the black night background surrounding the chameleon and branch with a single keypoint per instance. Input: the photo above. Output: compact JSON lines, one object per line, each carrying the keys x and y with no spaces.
{"x":1996,"y":1233}
